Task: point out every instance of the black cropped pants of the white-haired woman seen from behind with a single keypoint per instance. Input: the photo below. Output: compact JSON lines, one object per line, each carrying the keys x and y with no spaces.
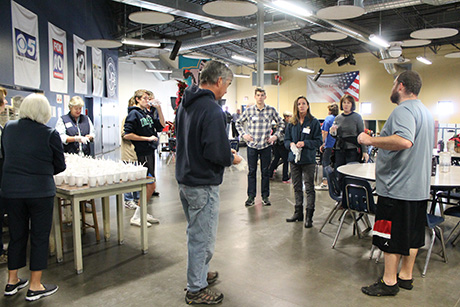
{"x":38,"y":213}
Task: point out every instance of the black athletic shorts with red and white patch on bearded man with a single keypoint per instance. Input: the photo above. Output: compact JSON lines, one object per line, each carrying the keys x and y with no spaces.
{"x":399,"y":225}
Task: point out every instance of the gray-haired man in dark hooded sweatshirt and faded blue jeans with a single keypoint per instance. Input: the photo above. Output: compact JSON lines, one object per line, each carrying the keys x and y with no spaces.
{"x":203,"y":151}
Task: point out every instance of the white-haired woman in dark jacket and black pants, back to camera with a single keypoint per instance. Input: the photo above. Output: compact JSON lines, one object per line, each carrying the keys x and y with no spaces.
{"x":32,"y":154}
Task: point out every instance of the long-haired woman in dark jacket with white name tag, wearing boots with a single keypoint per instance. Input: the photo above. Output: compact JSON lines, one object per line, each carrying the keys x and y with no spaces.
{"x":303,"y":138}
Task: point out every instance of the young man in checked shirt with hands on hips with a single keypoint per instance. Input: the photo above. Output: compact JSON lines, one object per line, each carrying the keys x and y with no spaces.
{"x":259,"y":118}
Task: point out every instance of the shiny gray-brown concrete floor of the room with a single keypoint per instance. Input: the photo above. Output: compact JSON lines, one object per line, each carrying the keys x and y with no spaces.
{"x":261,"y":259}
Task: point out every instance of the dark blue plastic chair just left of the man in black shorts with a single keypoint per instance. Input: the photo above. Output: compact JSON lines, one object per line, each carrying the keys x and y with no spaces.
{"x":356,"y":198}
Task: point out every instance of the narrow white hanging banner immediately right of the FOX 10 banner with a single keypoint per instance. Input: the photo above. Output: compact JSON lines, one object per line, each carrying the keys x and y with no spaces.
{"x":79,"y":61}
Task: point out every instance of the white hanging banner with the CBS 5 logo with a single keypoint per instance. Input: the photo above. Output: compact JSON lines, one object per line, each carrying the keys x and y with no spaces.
{"x":26,"y":56}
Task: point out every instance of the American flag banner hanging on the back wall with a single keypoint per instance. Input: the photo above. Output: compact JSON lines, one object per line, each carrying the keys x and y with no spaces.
{"x":329,"y":88}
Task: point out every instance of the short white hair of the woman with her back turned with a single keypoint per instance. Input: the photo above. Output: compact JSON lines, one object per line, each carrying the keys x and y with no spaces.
{"x":35,"y":107}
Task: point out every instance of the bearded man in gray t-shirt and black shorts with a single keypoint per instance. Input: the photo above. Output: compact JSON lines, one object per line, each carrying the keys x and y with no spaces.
{"x":403,"y":184}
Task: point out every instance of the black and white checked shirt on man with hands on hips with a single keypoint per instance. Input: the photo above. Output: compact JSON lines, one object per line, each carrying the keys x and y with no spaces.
{"x":259,"y":125}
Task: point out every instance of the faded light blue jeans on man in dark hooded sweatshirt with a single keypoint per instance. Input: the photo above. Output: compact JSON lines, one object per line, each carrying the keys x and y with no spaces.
{"x":201,"y":208}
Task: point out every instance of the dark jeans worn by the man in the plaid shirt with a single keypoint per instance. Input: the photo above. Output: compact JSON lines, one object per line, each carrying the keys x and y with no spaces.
{"x":265,"y":157}
